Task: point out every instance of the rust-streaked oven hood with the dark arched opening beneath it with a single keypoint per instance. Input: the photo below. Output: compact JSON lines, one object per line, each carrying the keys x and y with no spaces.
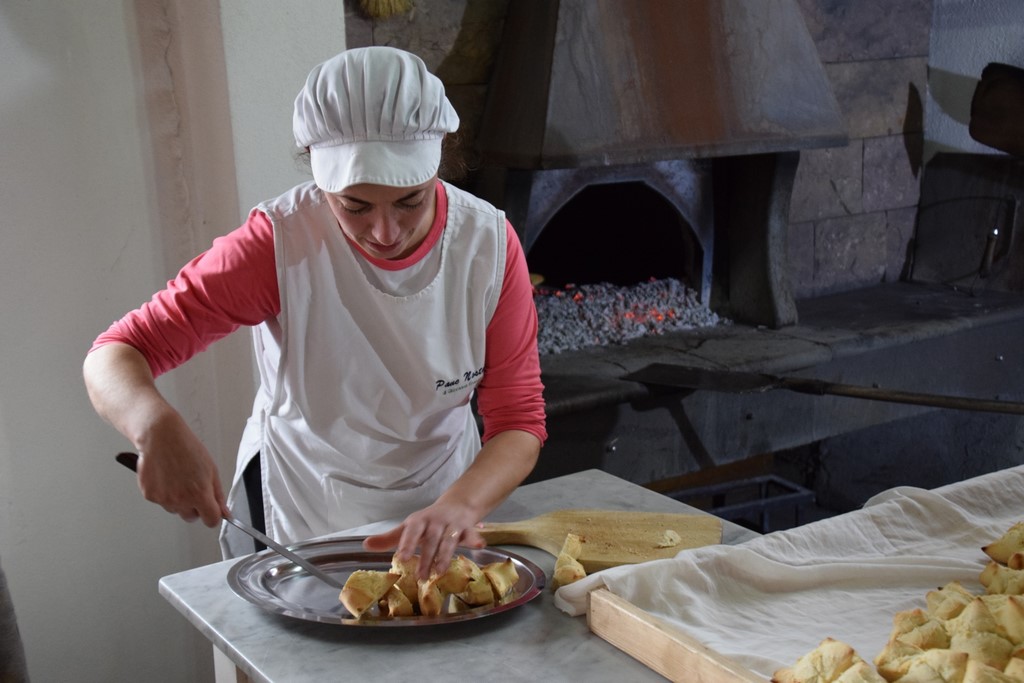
{"x":658,"y":139}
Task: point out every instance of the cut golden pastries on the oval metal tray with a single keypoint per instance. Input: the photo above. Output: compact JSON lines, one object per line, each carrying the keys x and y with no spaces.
{"x":401,"y":593}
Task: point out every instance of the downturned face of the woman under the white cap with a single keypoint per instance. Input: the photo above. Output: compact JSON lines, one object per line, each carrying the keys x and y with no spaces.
{"x":387,"y":223}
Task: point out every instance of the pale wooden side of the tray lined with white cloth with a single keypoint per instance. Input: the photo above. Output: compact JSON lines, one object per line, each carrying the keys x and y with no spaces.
{"x":658,"y":645}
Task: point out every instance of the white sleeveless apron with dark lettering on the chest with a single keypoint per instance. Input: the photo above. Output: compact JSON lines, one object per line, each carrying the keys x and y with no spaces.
{"x":364,"y":410}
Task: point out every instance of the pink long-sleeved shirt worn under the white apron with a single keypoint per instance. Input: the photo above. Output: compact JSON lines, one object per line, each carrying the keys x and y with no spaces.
{"x":235,"y":284}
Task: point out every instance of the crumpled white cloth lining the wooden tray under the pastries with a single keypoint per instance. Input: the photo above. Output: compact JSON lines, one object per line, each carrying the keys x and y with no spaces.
{"x":773,"y":600}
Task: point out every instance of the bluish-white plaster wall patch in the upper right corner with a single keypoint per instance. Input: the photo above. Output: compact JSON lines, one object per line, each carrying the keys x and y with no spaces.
{"x":966,"y":36}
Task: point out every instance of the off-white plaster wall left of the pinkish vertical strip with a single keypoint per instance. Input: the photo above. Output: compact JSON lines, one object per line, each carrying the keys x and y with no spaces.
{"x":82,"y":557}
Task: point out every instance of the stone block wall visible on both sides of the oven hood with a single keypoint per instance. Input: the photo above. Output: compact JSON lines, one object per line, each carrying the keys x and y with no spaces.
{"x":854,"y":208}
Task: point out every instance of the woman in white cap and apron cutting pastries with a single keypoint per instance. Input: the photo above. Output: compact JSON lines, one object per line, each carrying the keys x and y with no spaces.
{"x":382,"y":300}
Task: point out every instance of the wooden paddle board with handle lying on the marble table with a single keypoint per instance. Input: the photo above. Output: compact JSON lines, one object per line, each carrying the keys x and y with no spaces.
{"x":611,"y":538}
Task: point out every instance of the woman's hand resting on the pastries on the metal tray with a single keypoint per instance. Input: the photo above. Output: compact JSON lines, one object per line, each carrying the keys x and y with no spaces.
{"x":435,"y":533}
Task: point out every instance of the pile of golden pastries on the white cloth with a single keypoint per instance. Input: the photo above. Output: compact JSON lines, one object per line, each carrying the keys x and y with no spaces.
{"x":960,"y":637}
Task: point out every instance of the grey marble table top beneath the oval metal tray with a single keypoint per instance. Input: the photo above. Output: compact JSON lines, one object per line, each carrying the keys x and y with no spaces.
{"x":536,"y":642}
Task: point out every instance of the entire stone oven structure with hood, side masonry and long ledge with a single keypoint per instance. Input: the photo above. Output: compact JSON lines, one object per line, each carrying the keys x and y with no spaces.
{"x":702,"y":141}
